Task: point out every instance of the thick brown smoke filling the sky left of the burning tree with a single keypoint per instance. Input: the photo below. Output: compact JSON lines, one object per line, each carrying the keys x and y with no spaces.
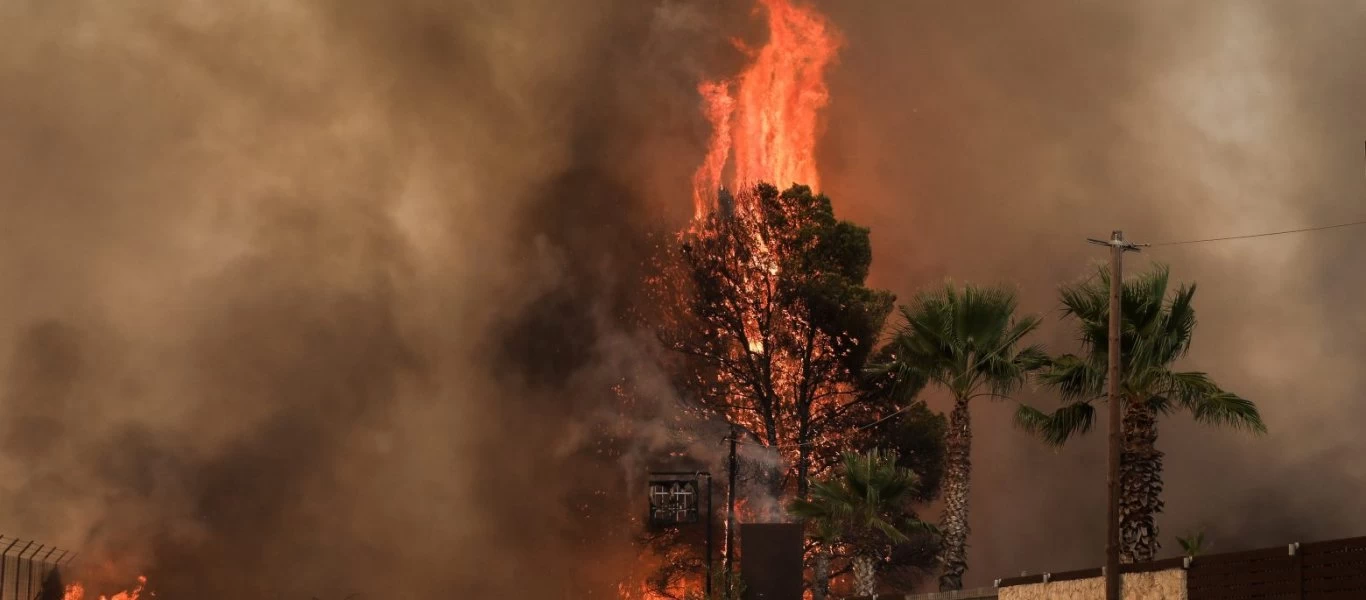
{"x":319,"y":299}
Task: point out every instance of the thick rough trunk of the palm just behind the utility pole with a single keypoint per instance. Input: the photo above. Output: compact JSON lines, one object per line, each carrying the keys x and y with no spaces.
{"x":1141,"y":476}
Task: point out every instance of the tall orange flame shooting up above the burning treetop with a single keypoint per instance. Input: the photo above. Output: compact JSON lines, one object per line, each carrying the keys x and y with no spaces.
{"x":772,"y":121}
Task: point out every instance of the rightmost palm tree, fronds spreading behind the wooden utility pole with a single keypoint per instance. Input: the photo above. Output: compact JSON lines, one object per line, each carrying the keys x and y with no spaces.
{"x":1156,"y":331}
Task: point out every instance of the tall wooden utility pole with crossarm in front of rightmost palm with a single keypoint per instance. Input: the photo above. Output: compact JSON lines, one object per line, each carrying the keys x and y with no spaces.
{"x":1118,"y":248}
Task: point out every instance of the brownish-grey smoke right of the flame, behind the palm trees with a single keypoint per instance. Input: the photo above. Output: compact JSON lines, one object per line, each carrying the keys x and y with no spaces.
{"x":998,"y":140}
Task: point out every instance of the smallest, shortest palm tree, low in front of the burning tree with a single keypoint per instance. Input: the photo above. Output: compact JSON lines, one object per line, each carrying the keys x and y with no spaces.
{"x":863,"y":505}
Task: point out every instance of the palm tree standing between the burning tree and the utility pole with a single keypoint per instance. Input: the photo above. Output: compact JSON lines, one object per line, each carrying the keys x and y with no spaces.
{"x":968,"y":342}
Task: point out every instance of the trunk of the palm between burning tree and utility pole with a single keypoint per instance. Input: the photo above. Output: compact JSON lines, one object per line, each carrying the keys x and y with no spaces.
{"x":958,"y":471}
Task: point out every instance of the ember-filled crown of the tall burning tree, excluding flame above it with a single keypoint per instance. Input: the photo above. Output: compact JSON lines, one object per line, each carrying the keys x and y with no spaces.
{"x":772,"y":315}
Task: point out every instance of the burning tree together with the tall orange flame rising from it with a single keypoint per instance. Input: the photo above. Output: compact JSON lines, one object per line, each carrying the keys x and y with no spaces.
{"x":764,"y":296}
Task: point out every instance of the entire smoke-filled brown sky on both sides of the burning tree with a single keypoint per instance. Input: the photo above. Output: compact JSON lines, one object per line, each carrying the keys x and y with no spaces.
{"x":322,"y":297}
